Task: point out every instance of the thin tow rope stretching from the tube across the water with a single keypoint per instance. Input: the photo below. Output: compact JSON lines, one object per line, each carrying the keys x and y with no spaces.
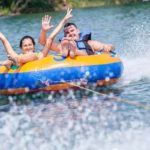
{"x":118,"y":99}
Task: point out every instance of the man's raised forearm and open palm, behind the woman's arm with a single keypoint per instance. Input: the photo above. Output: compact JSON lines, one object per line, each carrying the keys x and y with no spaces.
{"x":45,"y":27}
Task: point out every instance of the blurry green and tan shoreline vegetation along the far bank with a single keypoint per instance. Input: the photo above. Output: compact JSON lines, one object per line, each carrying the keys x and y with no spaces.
{"x":28,"y":6}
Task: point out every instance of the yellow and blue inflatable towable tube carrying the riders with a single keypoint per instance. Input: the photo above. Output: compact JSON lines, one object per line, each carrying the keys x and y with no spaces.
{"x":55,"y":72}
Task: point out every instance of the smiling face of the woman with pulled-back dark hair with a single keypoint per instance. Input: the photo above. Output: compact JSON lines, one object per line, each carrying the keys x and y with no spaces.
{"x":27,"y":45}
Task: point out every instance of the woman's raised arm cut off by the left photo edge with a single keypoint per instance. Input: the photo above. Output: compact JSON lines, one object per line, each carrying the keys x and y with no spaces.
{"x":7,"y":46}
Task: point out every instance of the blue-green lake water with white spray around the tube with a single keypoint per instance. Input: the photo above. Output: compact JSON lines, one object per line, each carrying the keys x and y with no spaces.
{"x":84,"y":120}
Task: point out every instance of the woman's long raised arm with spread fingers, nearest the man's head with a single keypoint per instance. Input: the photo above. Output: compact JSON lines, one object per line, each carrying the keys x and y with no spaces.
{"x":49,"y":41}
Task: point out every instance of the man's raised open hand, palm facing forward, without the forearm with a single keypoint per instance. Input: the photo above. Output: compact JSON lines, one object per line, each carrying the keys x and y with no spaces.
{"x":46,"y":23}
